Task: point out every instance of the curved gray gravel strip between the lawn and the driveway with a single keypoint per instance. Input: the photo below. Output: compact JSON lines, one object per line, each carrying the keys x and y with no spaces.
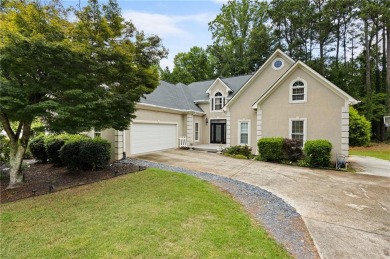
{"x":276,"y":216}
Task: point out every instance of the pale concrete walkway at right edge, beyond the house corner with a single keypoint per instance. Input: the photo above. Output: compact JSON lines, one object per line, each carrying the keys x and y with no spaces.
{"x":370,"y":165}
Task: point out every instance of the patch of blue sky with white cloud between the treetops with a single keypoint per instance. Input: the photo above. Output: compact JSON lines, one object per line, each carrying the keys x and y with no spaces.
{"x":181,"y":24}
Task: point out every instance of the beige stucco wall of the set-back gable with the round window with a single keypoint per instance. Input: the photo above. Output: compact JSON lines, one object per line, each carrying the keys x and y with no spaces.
{"x":241,"y":108}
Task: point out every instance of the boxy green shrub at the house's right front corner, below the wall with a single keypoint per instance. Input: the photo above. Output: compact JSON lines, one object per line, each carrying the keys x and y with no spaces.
{"x":318,"y":152}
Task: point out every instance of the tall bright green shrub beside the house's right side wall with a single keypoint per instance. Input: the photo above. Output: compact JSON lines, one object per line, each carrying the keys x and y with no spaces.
{"x":359,"y":129}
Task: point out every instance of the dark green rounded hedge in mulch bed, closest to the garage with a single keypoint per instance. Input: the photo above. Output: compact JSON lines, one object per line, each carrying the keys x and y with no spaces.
{"x":85,"y":153}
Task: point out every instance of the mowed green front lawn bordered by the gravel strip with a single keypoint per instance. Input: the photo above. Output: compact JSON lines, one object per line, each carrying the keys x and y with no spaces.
{"x":148,"y":214}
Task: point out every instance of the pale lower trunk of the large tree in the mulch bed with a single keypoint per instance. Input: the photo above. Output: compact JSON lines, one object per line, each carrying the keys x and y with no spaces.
{"x":16,"y":158}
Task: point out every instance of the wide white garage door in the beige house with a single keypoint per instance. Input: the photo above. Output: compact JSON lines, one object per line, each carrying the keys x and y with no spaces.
{"x":147,"y":137}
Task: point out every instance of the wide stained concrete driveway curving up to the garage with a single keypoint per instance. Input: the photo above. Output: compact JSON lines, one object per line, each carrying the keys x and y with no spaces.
{"x":348,"y":215}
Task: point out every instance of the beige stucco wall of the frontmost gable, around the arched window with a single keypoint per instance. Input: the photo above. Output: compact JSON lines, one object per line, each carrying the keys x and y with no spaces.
{"x":322,"y":111}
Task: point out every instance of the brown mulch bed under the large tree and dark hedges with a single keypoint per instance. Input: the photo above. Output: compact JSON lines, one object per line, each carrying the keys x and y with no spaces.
{"x":45,"y":178}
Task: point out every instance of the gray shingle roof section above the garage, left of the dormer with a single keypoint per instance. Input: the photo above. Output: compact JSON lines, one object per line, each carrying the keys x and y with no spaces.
{"x":171,"y":96}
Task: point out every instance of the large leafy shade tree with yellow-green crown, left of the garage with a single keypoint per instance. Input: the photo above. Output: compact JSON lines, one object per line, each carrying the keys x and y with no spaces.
{"x":76,"y":73}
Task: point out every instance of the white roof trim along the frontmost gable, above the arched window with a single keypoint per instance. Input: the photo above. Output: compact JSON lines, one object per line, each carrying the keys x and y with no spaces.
{"x":316,"y":75}
